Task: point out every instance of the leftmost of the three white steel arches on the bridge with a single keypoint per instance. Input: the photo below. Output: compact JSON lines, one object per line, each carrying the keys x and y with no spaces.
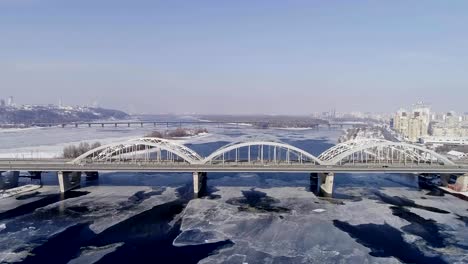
{"x":145,"y":145}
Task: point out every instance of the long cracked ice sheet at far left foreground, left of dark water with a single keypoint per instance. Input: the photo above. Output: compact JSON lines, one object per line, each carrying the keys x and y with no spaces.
{"x":103,"y":203}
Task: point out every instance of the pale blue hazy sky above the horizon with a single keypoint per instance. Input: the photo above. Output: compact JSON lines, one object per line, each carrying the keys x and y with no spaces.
{"x":276,"y":57}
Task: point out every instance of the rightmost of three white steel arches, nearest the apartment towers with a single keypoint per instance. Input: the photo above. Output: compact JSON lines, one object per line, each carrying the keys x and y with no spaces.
{"x":380,"y":150}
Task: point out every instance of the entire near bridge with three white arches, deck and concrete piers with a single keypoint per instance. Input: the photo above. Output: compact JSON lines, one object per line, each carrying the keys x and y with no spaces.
{"x":162,"y":155}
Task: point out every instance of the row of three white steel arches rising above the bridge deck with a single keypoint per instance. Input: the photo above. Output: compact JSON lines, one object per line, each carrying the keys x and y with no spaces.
{"x":354,"y":152}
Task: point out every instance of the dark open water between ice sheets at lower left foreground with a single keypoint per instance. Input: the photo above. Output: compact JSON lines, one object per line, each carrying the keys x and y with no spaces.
{"x":146,"y":237}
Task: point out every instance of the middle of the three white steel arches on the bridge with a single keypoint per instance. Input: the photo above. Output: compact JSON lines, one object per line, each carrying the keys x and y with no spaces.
{"x":300,"y":154}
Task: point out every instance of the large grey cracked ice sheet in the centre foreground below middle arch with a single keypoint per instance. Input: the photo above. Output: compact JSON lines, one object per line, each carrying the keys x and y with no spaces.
{"x":300,"y":235}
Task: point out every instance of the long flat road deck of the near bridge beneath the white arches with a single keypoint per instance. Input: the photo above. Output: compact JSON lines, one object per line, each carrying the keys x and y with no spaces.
{"x":64,"y":165}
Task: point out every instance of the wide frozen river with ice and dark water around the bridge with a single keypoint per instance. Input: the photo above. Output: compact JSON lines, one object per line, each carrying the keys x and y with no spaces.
{"x":243,"y":218}
